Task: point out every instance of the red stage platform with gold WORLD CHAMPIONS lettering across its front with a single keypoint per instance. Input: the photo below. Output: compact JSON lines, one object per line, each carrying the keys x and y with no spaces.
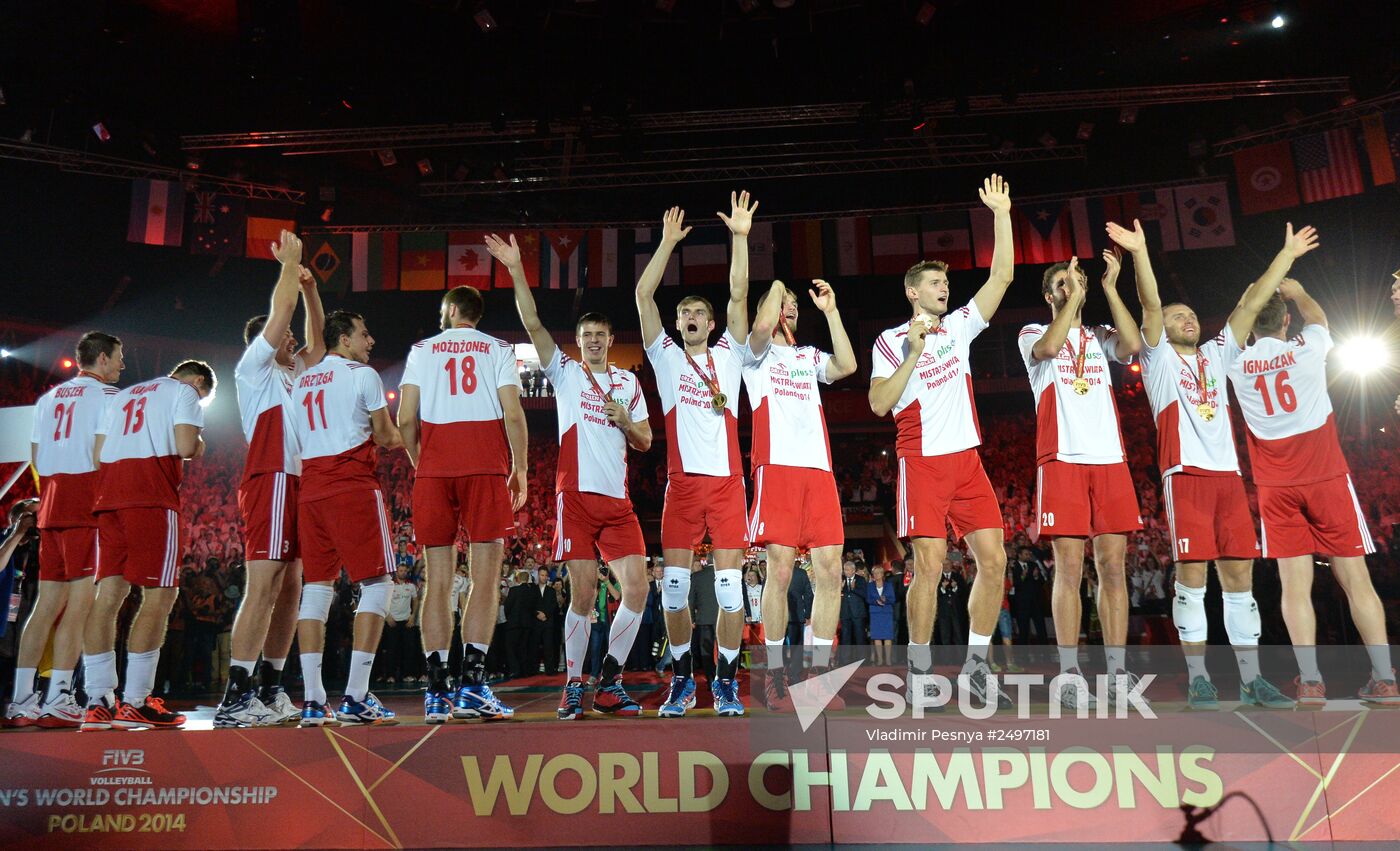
{"x":764,"y":780}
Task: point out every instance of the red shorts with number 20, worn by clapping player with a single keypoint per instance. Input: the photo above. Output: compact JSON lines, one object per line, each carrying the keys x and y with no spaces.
{"x":1084,"y":500}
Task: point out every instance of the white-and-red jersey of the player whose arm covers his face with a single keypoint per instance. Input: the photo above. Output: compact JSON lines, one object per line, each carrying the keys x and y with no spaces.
{"x":789,"y":425}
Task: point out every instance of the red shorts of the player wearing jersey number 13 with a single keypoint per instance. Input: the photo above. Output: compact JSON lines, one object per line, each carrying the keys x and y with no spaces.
{"x":141,"y":545}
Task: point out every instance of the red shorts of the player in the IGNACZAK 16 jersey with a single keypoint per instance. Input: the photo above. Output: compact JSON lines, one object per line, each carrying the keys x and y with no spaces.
{"x":1324,"y":517}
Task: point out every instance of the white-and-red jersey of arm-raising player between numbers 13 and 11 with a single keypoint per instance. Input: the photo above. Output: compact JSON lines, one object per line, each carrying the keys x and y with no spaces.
{"x":265,"y":408}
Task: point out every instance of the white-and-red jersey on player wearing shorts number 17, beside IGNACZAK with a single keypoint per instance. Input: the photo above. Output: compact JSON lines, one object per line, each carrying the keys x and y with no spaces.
{"x":1185,"y":439}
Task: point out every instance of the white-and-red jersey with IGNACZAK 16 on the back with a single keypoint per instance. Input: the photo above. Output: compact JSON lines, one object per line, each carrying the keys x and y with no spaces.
{"x":1282,"y":388}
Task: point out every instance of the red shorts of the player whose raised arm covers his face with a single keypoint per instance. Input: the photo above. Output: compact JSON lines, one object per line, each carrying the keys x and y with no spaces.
{"x":796,"y":507}
